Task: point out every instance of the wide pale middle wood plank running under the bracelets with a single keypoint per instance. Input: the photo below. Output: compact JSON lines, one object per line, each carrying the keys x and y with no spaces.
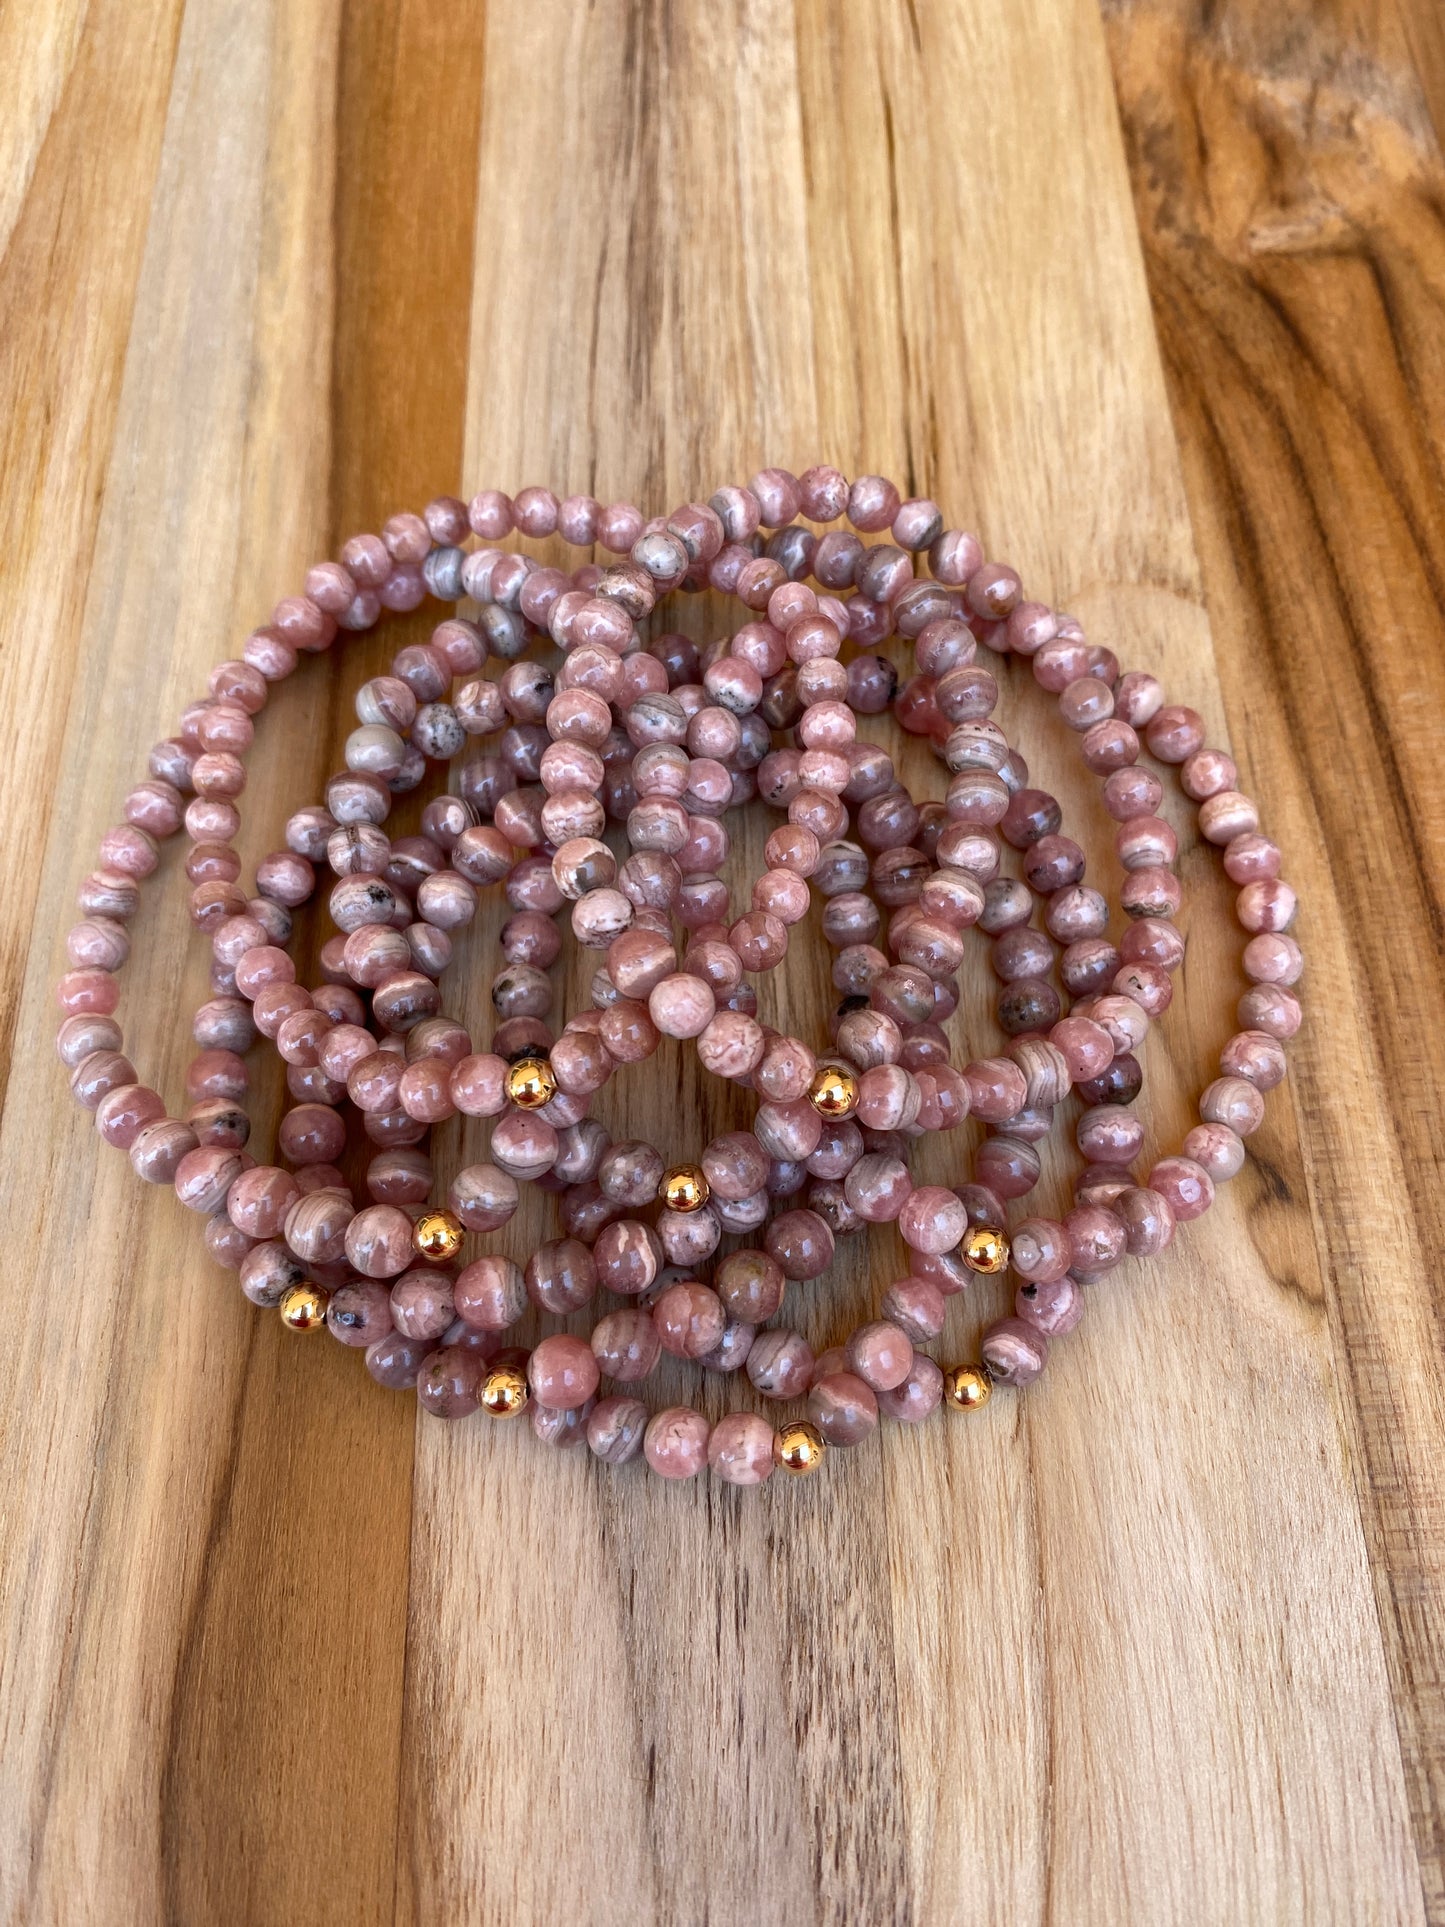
{"x":1024,"y":1716}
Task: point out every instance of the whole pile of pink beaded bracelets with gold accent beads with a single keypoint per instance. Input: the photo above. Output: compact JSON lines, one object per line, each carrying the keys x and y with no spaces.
{"x":664,"y":739}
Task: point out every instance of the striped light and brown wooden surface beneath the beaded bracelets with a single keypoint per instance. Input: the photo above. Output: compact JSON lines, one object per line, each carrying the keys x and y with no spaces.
{"x":1155,"y":302}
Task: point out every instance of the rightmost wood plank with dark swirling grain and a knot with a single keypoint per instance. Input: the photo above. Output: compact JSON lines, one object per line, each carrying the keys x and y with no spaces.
{"x":1292,"y":201}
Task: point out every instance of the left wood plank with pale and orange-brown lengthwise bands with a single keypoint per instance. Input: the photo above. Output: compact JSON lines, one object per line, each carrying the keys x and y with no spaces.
{"x":205,"y":1604}
